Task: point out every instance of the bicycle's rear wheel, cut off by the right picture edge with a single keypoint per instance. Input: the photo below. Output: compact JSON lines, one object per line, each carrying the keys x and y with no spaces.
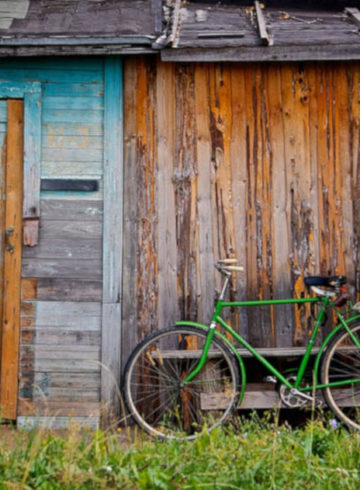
{"x":341,"y":362}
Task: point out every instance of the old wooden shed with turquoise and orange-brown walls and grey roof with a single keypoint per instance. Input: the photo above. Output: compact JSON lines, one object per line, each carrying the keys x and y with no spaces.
{"x":141,"y":141}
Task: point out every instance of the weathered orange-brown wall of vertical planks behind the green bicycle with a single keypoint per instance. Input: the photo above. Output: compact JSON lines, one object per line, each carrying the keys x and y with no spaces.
{"x":260,"y":162}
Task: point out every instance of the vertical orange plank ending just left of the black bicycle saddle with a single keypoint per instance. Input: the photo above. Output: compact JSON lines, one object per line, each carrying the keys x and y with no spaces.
{"x":295,"y":95}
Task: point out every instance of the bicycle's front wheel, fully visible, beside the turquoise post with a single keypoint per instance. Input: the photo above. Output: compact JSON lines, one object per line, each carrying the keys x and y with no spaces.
{"x":154,"y":391}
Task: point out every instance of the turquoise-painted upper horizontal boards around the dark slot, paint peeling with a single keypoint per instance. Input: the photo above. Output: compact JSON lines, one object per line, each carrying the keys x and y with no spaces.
{"x":72,"y":116}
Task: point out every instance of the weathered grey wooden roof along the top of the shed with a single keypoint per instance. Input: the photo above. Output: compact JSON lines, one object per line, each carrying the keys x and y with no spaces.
{"x":190,"y":31}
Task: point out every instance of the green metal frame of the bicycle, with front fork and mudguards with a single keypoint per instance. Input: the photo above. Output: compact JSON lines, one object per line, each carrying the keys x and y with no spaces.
{"x":325,"y":302}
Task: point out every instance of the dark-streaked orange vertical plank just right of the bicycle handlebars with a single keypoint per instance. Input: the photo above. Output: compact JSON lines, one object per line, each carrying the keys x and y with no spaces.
{"x":258,"y":205}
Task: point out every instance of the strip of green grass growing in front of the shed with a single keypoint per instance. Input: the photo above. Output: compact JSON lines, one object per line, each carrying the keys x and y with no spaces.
{"x":256,"y":454}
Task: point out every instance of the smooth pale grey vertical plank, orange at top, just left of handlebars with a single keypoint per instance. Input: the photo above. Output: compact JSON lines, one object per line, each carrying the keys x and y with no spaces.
{"x":203,"y":156}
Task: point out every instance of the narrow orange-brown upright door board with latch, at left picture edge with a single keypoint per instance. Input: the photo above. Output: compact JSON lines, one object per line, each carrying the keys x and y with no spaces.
{"x":10,"y":262}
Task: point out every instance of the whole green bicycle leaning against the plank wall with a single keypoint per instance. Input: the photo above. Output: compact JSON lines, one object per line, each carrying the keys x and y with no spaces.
{"x":173,"y":376}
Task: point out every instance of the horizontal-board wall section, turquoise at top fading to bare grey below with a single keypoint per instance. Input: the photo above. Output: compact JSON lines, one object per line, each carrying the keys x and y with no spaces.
{"x":62,"y":276}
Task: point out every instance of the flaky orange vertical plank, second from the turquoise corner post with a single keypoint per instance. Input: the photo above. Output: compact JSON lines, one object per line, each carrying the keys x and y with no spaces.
{"x":147,"y":258}
